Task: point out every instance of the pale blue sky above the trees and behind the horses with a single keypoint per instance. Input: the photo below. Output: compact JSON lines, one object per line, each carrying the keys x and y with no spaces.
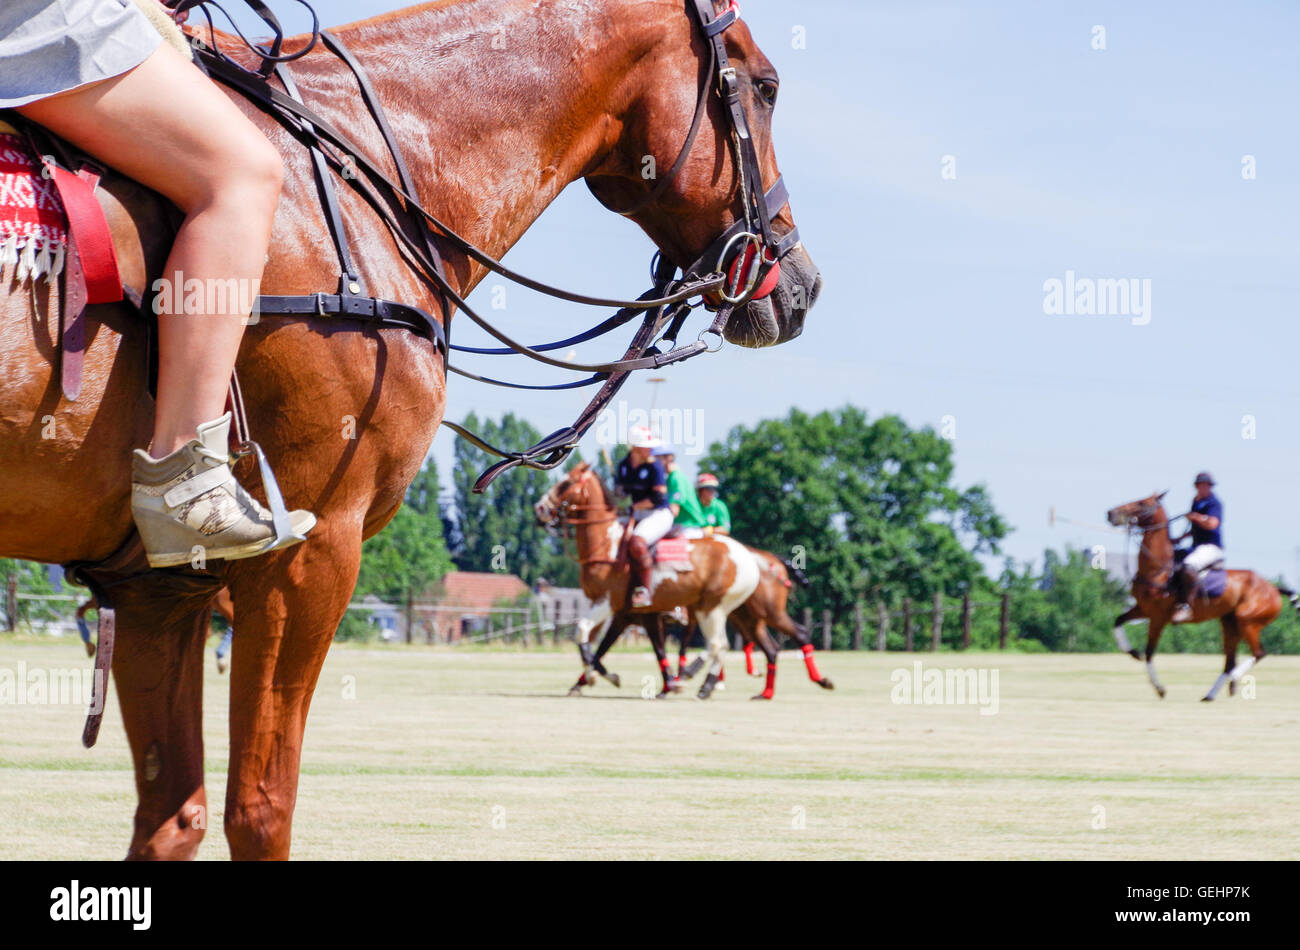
{"x":1117,"y":163}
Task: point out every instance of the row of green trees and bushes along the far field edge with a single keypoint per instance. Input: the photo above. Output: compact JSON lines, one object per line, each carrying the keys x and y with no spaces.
{"x":869,"y":509}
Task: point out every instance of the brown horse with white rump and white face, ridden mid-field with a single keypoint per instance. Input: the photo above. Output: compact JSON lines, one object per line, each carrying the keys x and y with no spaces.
{"x":723,"y":574}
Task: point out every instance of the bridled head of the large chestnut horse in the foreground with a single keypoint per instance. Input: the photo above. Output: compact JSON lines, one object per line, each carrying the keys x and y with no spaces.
{"x":686,"y":164}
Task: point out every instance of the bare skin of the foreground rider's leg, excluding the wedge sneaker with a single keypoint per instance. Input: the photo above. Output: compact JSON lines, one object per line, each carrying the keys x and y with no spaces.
{"x":201,"y":151}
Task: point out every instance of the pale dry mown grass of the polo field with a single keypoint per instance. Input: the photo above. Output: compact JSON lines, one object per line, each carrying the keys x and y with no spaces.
{"x":480,"y":754}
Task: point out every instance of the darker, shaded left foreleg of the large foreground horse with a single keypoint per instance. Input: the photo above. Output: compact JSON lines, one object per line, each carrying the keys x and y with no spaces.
{"x":158,"y":670}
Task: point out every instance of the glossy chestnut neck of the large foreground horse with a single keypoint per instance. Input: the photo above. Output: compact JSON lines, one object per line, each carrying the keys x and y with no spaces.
{"x":501,"y":105}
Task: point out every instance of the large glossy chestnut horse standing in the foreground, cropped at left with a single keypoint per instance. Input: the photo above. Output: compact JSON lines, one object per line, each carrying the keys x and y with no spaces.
{"x":500,"y":106}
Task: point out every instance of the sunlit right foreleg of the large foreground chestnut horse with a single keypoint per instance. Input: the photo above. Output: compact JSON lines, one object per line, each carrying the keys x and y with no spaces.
{"x":288,"y":605}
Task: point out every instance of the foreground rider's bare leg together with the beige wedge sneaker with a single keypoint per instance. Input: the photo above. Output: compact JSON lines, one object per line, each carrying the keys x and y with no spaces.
{"x":166,"y":125}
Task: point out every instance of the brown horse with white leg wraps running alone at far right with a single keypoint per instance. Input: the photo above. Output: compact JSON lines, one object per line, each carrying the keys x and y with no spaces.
{"x":1247,"y":605}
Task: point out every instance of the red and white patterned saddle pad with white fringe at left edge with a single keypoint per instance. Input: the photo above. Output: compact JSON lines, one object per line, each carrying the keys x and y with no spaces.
{"x":33,"y":225}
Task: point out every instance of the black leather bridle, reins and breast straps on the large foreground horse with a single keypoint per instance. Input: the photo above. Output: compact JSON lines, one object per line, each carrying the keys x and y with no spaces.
{"x":733,"y":267}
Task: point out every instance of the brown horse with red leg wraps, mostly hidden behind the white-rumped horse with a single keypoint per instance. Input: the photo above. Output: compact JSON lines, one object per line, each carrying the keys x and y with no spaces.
{"x":764,"y":609}
